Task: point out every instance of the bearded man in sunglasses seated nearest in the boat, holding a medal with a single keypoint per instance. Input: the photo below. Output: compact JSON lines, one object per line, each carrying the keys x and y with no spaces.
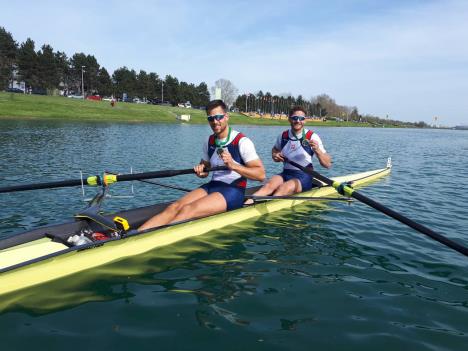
{"x":226,"y":189}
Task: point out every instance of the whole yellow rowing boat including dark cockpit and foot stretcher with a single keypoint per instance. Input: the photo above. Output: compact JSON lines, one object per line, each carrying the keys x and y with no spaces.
{"x":41,"y":255}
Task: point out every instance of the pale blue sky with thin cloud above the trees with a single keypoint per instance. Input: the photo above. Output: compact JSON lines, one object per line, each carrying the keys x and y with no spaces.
{"x":407,"y":59}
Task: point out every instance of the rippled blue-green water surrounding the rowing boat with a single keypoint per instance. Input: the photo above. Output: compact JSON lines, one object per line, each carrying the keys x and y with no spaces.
{"x":324,"y":276}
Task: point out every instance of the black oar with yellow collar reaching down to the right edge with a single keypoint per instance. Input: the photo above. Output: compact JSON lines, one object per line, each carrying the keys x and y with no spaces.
{"x":344,"y":189}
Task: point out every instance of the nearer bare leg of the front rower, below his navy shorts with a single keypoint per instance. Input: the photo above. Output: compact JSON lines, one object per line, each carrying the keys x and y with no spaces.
{"x":205,"y":206}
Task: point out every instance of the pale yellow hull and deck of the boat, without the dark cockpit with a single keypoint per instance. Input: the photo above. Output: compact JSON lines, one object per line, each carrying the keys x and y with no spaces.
{"x":76,"y":261}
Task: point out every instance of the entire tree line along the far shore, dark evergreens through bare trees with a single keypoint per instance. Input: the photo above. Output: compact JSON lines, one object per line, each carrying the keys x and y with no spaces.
{"x":47,"y":71}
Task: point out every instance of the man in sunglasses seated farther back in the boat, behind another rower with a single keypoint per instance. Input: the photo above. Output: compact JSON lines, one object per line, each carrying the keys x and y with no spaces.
{"x":297,"y":144}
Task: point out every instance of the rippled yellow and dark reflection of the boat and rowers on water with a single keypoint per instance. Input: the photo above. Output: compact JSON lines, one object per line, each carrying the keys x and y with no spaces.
{"x":228,"y":249}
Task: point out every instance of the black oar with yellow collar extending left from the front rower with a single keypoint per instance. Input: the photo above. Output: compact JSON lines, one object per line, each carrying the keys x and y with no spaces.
{"x":106,"y":179}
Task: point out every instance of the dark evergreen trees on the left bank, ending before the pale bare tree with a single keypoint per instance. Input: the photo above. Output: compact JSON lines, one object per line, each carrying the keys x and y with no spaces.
{"x":47,"y":71}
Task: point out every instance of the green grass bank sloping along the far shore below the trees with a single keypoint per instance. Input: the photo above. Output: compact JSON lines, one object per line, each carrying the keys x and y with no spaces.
{"x":20,"y":106}
